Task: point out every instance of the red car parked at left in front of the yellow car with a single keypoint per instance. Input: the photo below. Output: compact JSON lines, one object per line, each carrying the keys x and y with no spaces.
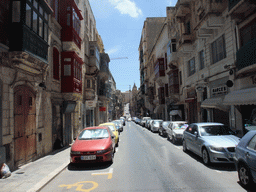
{"x":93,"y":144}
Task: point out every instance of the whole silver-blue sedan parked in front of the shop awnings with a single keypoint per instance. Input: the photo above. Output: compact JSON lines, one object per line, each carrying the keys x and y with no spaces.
{"x":214,"y":142}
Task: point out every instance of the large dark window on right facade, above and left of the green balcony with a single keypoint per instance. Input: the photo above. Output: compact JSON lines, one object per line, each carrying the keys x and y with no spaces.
{"x":218,"y":49}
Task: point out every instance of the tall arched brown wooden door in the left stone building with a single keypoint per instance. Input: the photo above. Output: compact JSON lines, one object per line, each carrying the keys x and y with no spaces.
{"x":24,"y":125}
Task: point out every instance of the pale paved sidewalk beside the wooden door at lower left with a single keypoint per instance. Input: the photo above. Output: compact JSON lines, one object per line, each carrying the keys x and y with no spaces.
{"x":33,"y":176}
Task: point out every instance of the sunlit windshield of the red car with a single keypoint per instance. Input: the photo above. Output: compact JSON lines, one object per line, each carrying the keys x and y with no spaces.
{"x":88,"y":134}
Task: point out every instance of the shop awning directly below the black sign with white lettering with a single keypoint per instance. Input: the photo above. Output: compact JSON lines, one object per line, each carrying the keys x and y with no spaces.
{"x":216,"y":103}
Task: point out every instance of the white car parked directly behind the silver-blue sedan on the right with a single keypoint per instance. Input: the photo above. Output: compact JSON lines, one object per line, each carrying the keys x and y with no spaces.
{"x":175,"y":131}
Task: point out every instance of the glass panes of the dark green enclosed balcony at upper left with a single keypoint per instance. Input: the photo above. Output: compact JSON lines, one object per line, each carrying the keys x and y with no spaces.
{"x":37,"y":18}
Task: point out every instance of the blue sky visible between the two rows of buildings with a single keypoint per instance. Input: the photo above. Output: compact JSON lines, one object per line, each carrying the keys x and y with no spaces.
{"x":120,"y":23}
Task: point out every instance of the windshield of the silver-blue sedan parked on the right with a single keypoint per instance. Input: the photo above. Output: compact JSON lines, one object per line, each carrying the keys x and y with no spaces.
{"x":213,"y":130}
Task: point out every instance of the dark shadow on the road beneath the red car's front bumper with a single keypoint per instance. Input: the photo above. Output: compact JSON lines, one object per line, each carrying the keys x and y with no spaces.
{"x":88,"y":166}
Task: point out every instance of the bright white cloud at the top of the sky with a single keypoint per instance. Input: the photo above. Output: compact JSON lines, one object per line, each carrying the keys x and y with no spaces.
{"x":127,"y":7}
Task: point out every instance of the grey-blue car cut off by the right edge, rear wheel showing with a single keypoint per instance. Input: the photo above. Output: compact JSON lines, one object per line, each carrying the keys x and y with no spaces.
{"x":245,"y":159}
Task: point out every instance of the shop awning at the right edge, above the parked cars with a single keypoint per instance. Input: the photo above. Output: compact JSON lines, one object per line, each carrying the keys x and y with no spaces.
{"x":241,"y":97}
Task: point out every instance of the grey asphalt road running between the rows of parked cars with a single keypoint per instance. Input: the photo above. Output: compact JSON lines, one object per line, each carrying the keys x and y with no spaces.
{"x":145,"y":161}
